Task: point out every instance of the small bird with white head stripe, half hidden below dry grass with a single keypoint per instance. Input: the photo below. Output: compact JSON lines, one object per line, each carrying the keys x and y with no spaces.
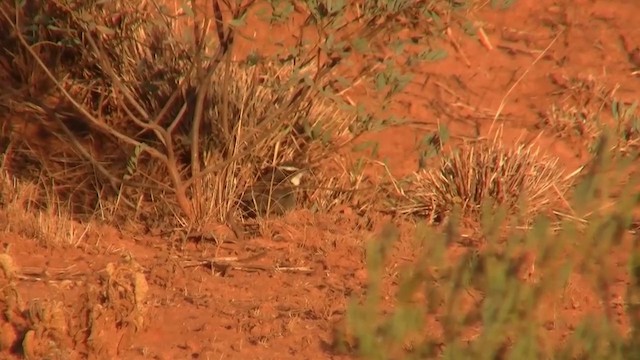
{"x":274,"y":193}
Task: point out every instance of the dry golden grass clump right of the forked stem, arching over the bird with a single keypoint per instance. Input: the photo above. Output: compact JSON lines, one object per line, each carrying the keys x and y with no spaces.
{"x":304,"y":136}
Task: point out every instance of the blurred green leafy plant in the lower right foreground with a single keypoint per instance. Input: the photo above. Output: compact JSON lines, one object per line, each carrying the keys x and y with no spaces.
{"x":494,"y":302}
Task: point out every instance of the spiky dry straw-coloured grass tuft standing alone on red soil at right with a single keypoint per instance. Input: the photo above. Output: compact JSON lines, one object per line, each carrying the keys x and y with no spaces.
{"x":520,"y":180}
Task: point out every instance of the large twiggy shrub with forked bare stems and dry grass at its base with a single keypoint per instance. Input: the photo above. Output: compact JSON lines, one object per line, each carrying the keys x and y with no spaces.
{"x":130,"y":106}
